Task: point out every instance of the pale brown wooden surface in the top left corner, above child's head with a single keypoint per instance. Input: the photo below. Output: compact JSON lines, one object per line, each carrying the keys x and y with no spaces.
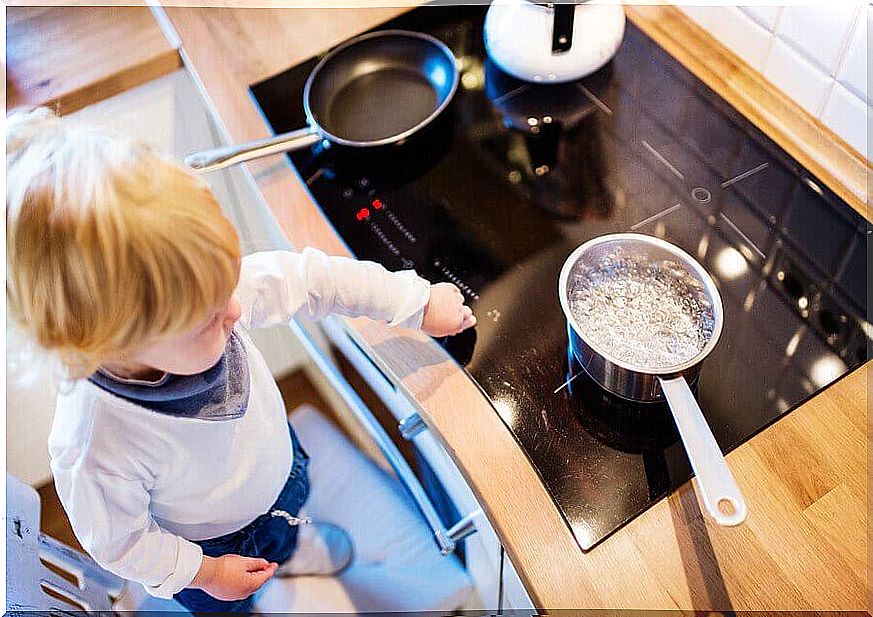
{"x":70,"y":57}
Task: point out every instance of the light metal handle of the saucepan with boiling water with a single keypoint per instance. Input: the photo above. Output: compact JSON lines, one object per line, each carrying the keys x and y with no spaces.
{"x":718,"y":489}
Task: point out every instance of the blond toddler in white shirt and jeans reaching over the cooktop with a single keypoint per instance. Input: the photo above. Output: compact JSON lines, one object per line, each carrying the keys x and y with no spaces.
{"x":170,"y":446}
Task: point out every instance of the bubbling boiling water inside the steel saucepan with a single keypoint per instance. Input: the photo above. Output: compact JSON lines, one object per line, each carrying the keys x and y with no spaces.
{"x":652,"y":314}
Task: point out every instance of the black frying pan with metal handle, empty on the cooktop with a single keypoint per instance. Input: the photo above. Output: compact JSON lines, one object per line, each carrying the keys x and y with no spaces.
{"x":374,"y":90}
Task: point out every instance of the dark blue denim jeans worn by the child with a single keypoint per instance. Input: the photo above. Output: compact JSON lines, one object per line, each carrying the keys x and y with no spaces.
{"x":269,"y":537}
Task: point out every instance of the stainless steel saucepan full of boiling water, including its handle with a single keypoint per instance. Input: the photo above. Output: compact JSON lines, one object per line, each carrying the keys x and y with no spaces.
{"x":642,"y":315}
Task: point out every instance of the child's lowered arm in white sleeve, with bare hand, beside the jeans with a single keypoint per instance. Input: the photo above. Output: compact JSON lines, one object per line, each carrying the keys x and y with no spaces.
{"x":109,"y":514}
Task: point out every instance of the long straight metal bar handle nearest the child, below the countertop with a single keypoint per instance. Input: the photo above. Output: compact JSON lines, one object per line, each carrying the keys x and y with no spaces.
{"x":379,"y":436}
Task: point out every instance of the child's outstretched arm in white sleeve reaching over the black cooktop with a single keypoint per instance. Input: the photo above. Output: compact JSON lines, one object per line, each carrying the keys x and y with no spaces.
{"x":277,"y":285}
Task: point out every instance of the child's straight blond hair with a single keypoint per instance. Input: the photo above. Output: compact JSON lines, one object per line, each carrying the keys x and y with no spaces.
{"x":109,"y":246}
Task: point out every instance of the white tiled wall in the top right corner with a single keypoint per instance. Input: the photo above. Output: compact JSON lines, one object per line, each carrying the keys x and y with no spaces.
{"x":816,"y":54}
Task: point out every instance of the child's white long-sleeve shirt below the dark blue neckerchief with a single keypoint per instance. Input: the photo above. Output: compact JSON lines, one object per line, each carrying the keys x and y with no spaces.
{"x":139,"y":485}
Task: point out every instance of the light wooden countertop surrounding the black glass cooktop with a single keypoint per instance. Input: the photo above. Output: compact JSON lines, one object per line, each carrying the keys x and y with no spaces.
{"x":804,"y":544}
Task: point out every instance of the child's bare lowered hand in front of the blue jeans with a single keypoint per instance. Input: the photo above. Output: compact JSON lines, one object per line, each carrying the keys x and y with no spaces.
{"x":232,"y":577}
